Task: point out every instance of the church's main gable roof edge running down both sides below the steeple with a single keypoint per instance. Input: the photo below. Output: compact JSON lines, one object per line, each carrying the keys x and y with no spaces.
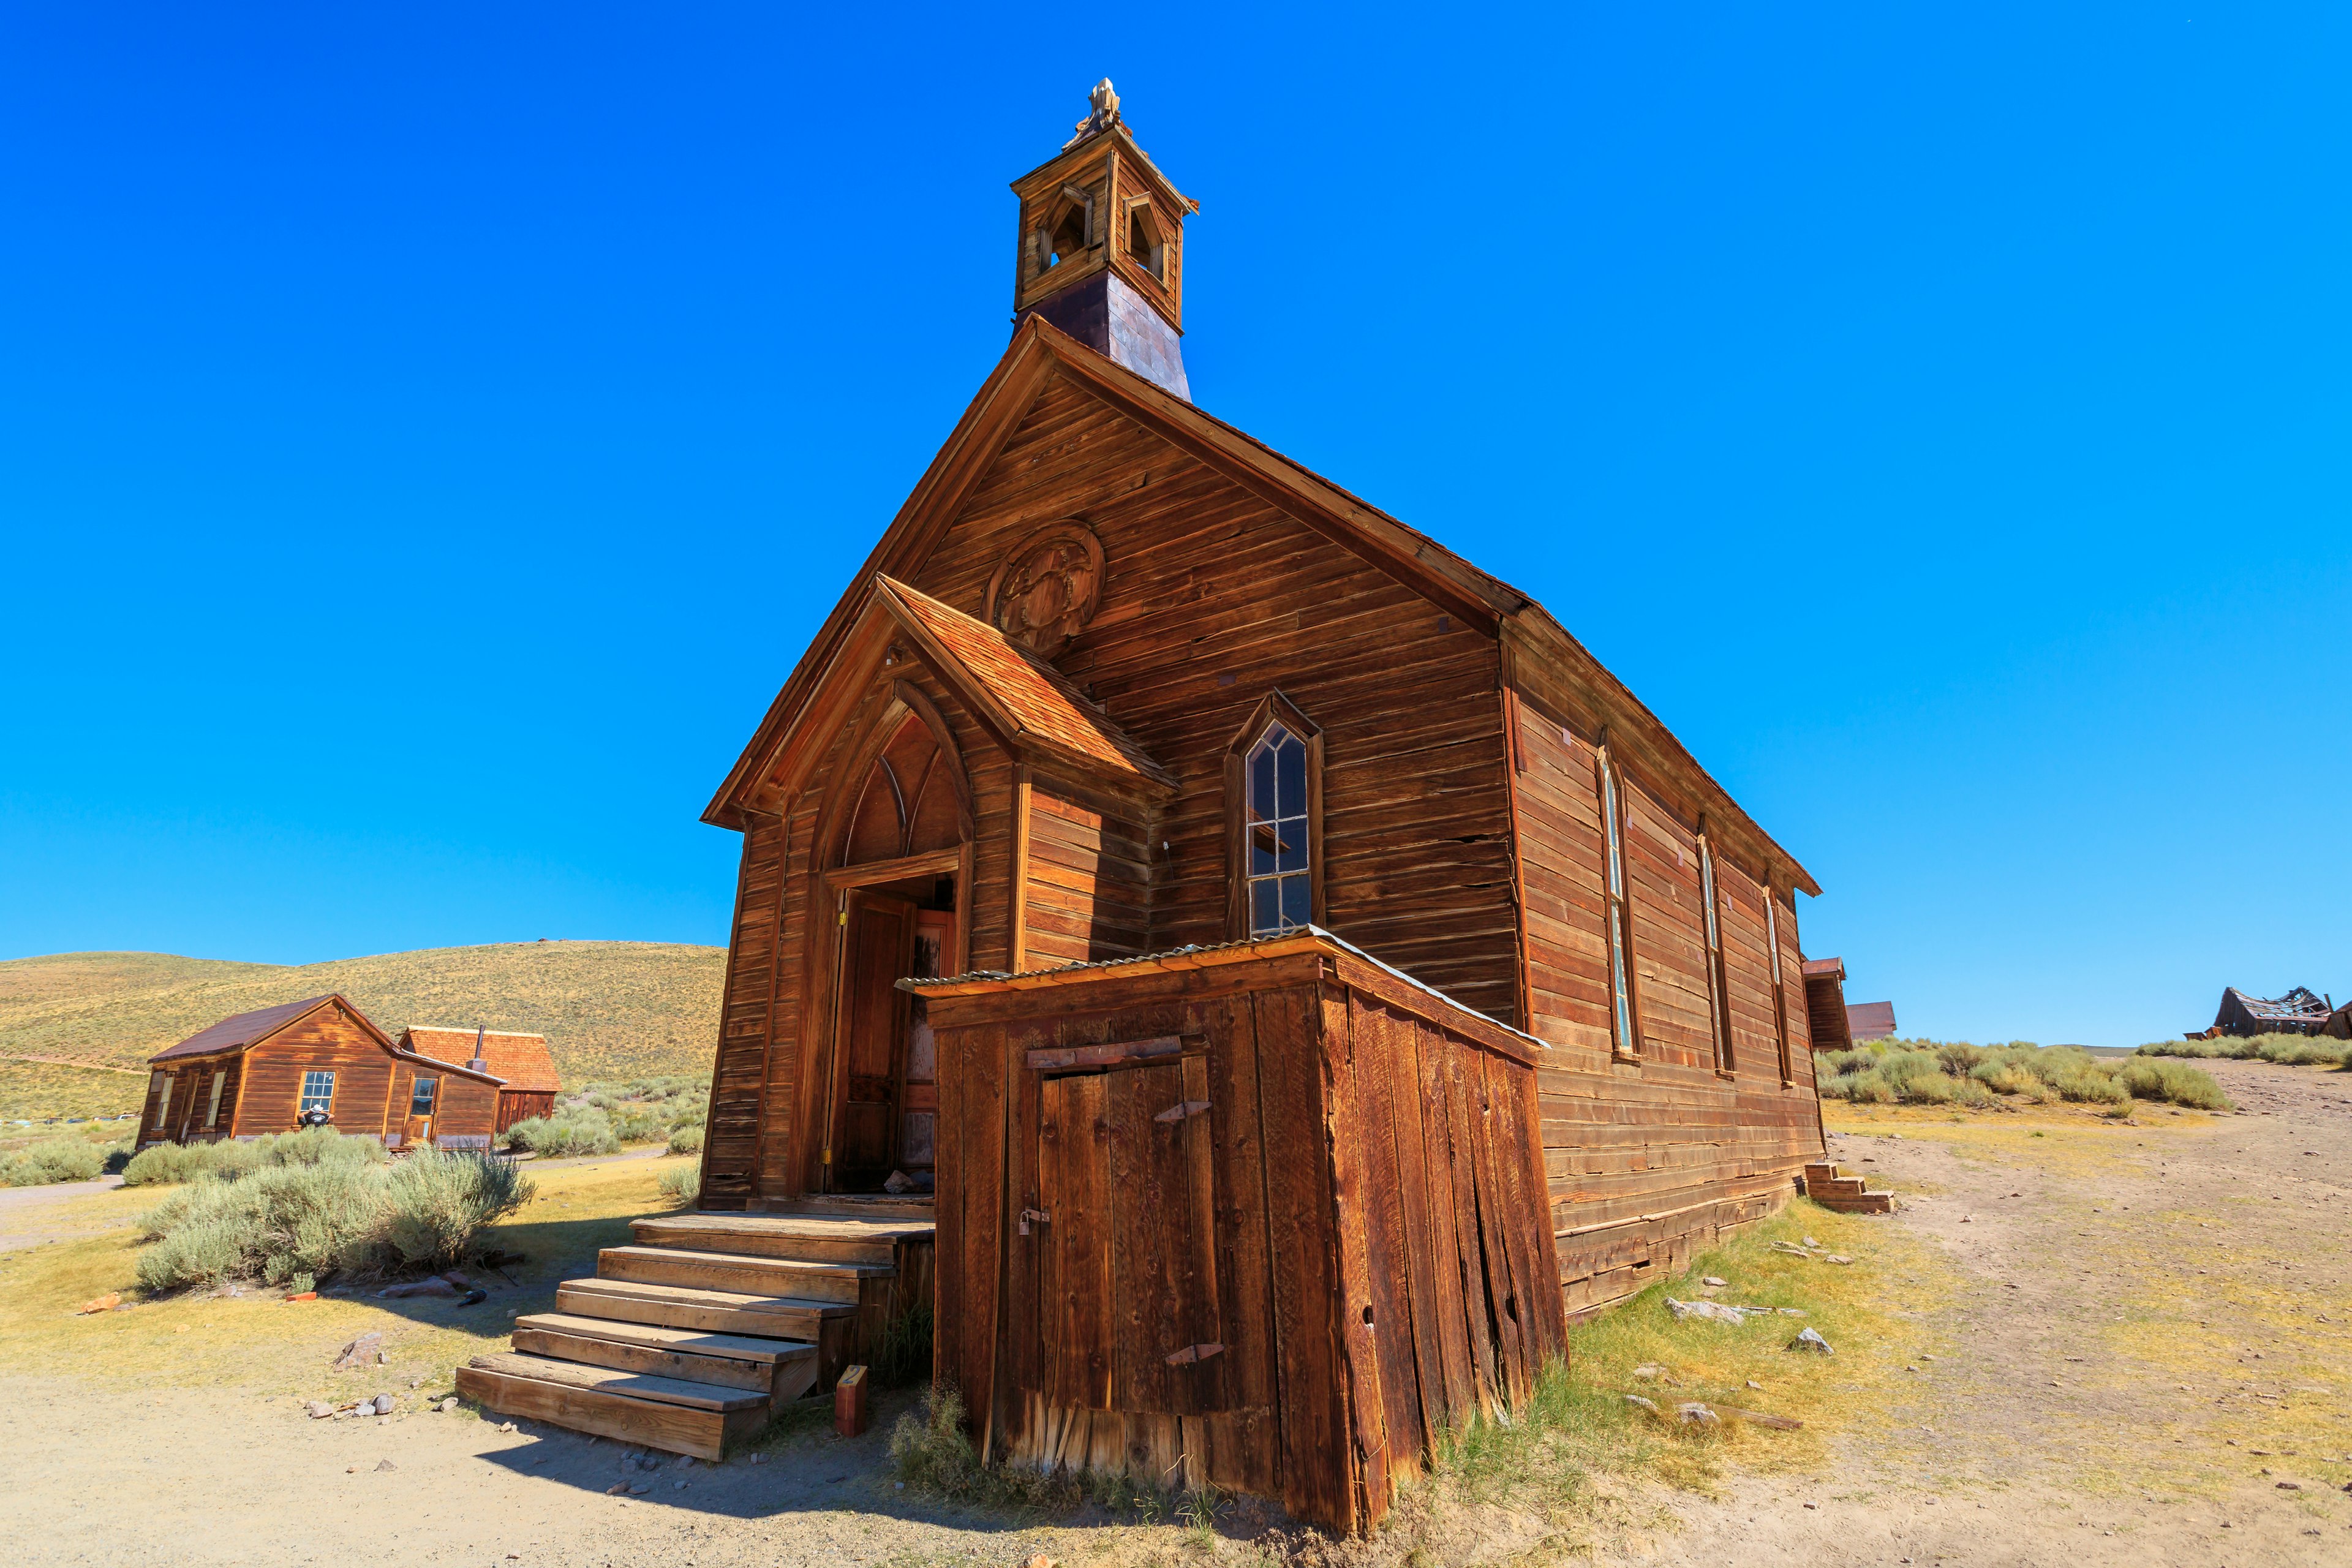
{"x":1483,"y":601}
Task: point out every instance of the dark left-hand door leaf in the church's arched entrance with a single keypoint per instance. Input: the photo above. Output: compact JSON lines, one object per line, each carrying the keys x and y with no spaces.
{"x":878,"y":937}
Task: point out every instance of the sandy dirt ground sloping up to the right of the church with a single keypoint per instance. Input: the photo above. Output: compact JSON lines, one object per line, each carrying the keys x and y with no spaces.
{"x":2156,"y":1329}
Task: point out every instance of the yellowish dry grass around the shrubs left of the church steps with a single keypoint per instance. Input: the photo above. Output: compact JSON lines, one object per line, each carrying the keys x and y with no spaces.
{"x":260,"y":1343}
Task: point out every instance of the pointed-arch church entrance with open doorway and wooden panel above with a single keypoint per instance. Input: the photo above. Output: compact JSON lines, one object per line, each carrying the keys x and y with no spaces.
{"x":900,"y":887}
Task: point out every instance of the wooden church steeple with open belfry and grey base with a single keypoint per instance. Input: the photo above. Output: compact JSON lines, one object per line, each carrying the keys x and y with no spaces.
{"x":1102,"y":248}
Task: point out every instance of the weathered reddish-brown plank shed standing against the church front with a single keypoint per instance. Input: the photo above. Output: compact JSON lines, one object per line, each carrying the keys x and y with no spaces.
{"x":1335,"y":1193}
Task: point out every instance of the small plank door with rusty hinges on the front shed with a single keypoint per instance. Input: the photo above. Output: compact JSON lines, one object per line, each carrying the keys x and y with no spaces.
{"x":1128,"y":1273}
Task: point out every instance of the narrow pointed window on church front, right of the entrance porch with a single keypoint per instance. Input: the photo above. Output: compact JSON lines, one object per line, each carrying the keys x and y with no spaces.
{"x":1274,"y":822}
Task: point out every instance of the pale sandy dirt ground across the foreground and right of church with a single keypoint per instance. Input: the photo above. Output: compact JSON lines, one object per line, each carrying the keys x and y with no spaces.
{"x":2141,"y":1334}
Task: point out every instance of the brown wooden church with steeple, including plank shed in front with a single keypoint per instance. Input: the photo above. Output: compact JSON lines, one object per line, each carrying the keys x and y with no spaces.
{"x":1285,"y":967}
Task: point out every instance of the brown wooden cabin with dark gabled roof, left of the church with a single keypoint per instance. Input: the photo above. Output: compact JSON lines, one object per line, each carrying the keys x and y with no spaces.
{"x":260,"y":1073}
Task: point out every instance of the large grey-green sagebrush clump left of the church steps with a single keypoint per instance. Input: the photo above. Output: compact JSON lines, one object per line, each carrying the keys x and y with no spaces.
{"x":288,"y":1224}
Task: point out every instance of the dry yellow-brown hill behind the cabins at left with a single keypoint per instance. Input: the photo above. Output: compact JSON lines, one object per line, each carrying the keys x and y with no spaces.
{"x":608,"y":1010}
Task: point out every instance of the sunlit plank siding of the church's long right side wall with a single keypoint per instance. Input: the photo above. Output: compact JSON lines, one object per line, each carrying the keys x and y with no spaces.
{"x":1648,"y":1160}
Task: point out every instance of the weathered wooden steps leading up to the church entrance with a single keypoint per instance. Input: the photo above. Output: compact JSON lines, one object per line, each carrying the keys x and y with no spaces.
{"x":700,"y":1332}
